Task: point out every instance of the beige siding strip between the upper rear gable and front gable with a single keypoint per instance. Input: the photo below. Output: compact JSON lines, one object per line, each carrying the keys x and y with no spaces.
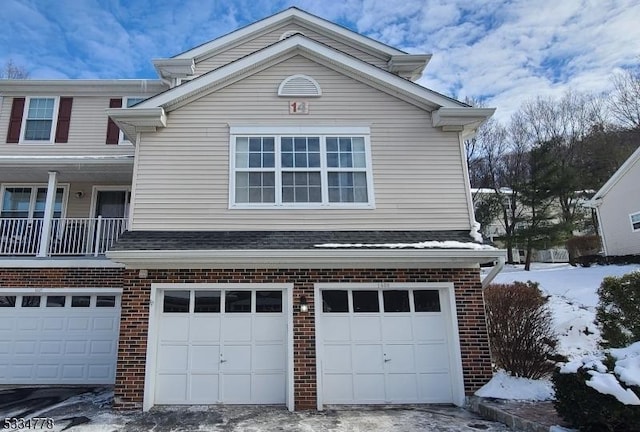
{"x":247,"y":47}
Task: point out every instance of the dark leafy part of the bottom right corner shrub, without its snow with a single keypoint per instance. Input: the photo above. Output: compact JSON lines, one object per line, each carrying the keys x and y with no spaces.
{"x":589,"y":410}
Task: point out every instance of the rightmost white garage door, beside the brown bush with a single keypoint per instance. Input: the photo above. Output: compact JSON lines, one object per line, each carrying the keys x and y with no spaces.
{"x":385,"y":346}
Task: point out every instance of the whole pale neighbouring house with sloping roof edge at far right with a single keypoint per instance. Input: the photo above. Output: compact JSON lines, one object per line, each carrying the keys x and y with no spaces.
{"x":617,"y":206}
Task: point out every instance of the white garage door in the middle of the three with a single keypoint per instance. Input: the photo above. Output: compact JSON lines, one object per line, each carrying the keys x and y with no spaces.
{"x":221,"y":346}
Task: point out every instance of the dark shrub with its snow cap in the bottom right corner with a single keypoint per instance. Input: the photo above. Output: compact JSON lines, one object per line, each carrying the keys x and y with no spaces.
{"x":601,"y":394}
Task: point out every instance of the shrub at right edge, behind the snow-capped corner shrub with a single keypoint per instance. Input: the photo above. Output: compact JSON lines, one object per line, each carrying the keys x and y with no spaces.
{"x":618,"y":310}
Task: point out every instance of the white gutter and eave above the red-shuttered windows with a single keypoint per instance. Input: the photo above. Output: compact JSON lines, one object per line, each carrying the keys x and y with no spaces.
{"x":82,"y":87}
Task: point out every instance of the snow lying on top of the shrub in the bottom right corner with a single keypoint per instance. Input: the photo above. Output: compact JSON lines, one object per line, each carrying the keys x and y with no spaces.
{"x":627,"y":370}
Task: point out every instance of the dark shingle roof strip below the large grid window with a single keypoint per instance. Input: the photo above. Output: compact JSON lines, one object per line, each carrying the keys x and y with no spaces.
{"x":222,"y":240}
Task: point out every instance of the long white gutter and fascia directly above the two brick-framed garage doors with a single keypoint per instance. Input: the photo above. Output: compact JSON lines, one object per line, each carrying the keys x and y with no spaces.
{"x":306,"y":258}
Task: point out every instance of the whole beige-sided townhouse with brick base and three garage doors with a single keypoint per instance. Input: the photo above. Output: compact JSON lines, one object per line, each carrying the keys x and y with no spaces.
{"x":299,"y":228}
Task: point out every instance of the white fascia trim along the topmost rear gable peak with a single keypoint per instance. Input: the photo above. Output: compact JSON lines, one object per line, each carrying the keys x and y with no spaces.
{"x":272,"y":21}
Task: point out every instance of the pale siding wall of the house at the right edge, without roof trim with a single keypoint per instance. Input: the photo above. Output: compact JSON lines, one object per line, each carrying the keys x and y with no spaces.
{"x":622,"y":200}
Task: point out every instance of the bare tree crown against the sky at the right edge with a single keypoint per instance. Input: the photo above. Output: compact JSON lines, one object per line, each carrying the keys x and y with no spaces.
{"x":625,"y":101}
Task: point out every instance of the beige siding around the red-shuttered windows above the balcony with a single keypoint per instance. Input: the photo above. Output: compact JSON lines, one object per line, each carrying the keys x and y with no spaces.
{"x":87,"y":132}
